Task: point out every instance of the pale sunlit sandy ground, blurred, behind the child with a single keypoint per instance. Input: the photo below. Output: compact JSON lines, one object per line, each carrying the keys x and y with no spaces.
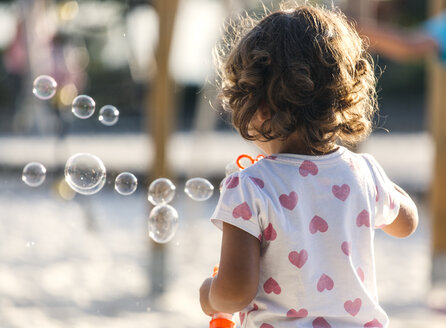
{"x":88,"y":262}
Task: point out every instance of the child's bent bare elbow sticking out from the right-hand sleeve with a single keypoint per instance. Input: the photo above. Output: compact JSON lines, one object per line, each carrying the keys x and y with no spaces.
{"x":407,"y":220}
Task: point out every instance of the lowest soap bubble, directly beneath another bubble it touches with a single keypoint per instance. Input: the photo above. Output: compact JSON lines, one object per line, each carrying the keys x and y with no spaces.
{"x":163,"y":223}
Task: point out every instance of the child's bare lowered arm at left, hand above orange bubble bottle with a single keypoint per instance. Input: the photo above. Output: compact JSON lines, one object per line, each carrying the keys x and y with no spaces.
{"x":238,"y":276}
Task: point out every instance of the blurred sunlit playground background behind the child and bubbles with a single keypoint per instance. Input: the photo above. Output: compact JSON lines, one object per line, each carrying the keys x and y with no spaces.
{"x":70,"y":260}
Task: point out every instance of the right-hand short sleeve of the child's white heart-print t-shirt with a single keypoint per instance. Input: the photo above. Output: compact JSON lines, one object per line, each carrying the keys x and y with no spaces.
{"x":387,"y":204}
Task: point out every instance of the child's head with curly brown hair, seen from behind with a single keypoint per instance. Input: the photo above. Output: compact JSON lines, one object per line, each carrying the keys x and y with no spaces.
{"x":308,"y":67}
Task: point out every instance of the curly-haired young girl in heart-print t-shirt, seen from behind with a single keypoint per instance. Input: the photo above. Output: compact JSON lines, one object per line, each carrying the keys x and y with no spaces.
{"x":298,"y":226}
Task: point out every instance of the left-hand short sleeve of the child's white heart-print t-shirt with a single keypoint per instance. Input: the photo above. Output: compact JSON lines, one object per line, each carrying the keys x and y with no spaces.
{"x":240,"y":204}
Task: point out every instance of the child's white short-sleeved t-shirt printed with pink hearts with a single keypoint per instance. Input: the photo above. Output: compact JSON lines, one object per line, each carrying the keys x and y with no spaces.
{"x":315,"y":217}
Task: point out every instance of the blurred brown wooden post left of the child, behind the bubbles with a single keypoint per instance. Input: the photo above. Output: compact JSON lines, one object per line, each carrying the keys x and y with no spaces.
{"x":158,"y":121}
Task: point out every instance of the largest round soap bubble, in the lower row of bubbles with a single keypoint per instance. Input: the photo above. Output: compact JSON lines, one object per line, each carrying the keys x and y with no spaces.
{"x":85,"y":173}
